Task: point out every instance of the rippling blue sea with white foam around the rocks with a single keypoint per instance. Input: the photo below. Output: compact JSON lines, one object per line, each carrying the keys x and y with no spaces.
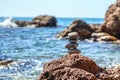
{"x":31,"y":48}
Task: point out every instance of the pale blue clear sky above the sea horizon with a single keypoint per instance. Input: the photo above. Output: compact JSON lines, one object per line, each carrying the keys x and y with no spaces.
{"x":58,"y":8}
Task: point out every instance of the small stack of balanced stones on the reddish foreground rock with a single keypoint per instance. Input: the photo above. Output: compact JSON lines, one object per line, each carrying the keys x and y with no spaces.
{"x":72,"y":45}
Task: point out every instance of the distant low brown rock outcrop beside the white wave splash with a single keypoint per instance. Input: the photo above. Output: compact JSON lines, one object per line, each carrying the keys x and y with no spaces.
{"x":39,"y":21}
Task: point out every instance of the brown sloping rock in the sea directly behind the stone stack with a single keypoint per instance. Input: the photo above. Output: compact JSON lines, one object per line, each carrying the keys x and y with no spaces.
{"x":79,"y":26}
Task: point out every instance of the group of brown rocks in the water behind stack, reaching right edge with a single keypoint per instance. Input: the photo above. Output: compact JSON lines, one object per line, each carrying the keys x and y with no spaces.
{"x":108,"y":31}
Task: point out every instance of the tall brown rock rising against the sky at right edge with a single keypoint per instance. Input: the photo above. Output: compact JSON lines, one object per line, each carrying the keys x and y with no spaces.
{"x":111,"y":24}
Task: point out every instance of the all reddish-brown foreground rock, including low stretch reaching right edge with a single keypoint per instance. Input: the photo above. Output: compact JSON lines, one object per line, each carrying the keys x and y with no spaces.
{"x":77,"y":67}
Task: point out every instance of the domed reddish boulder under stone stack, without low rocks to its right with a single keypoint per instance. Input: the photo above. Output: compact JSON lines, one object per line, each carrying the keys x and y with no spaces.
{"x":70,"y":67}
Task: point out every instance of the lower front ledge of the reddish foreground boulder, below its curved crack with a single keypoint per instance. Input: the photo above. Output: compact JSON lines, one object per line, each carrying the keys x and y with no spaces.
{"x":68,"y":74}
